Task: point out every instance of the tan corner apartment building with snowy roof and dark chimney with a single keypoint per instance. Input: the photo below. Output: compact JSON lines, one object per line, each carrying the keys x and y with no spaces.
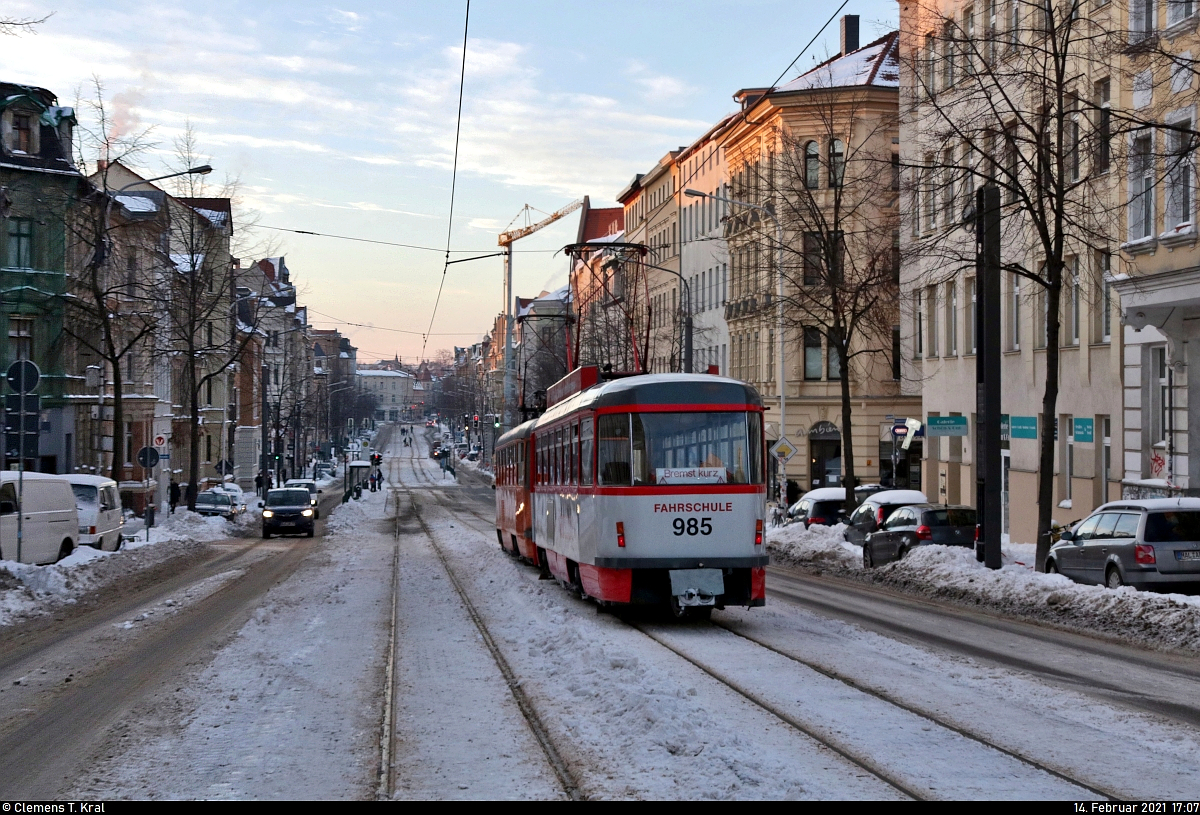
{"x":818,"y":153}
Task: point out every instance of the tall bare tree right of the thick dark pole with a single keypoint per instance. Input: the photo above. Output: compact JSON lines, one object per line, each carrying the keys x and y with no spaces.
{"x":1000,"y":95}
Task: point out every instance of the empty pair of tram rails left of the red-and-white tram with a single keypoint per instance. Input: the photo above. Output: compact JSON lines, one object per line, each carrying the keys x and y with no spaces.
{"x":560,"y":766}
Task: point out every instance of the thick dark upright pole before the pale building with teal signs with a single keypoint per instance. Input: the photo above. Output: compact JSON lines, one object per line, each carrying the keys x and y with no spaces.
{"x":988,"y":460}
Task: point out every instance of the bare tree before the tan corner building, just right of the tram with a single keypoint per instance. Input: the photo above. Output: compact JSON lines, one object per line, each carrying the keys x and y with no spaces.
{"x":825,"y":171}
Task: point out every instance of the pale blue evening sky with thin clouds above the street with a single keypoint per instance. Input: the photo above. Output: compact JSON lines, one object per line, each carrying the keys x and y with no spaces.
{"x":340,"y":119}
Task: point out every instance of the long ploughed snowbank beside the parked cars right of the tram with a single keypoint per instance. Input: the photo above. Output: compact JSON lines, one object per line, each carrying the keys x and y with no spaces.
{"x":952,"y":573}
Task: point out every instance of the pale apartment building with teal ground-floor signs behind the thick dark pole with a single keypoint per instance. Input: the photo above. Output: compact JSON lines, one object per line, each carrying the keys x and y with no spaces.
{"x":1027,"y":98}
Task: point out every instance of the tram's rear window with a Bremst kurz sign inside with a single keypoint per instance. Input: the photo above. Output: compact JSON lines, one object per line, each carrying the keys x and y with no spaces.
{"x":644,"y":450}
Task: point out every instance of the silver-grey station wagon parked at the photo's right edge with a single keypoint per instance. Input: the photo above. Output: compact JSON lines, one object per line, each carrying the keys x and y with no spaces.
{"x":1153,"y":544}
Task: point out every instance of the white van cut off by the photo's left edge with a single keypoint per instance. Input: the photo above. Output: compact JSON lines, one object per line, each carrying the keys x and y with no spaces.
{"x":50,"y":520}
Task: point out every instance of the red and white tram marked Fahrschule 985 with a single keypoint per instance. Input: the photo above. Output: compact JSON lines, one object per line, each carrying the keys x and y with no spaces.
{"x":644,"y":490}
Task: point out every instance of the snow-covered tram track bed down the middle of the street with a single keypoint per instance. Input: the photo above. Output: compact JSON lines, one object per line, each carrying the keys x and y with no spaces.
{"x":527,"y":692}
